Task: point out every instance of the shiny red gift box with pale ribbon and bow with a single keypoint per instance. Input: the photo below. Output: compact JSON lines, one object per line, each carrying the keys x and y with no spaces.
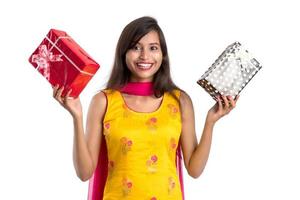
{"x":62,"y":61}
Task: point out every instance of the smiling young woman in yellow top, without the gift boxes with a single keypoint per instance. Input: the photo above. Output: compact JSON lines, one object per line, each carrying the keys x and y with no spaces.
{"x":138,"y":123}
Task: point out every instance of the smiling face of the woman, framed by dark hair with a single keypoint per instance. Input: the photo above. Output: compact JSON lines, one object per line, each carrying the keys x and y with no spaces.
{"x":145,"y":58}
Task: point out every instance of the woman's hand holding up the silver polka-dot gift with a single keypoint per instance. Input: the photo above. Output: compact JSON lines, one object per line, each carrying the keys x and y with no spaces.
{"x":219,"y":110}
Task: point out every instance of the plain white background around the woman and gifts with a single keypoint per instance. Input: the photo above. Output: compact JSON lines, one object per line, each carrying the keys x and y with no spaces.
{"x":255,"y":149}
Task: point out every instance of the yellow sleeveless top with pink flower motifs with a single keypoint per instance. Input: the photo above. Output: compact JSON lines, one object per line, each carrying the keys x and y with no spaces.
{"x":141,"y":150}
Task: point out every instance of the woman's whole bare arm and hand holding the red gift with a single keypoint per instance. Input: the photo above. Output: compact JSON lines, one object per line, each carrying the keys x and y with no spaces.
{"x":86,"y":147}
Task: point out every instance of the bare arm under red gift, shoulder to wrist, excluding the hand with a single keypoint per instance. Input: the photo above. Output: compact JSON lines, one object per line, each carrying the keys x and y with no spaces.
{"x":86,"y":148}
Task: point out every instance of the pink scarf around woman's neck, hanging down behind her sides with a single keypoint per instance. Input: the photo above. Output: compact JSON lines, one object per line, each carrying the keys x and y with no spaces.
{"x":98,"y":180}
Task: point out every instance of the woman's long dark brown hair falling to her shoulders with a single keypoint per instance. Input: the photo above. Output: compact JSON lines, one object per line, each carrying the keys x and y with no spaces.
{"x":129,"y":37}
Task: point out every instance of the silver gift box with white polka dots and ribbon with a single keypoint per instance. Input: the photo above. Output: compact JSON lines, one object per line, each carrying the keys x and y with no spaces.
{"x":230,"y":73}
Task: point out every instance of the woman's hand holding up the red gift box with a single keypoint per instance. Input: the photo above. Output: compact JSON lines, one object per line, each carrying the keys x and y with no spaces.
{"x":70,"y":104}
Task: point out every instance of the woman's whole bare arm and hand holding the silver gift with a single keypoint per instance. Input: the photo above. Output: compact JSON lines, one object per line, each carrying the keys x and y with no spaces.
{"x":196,"y":155}
